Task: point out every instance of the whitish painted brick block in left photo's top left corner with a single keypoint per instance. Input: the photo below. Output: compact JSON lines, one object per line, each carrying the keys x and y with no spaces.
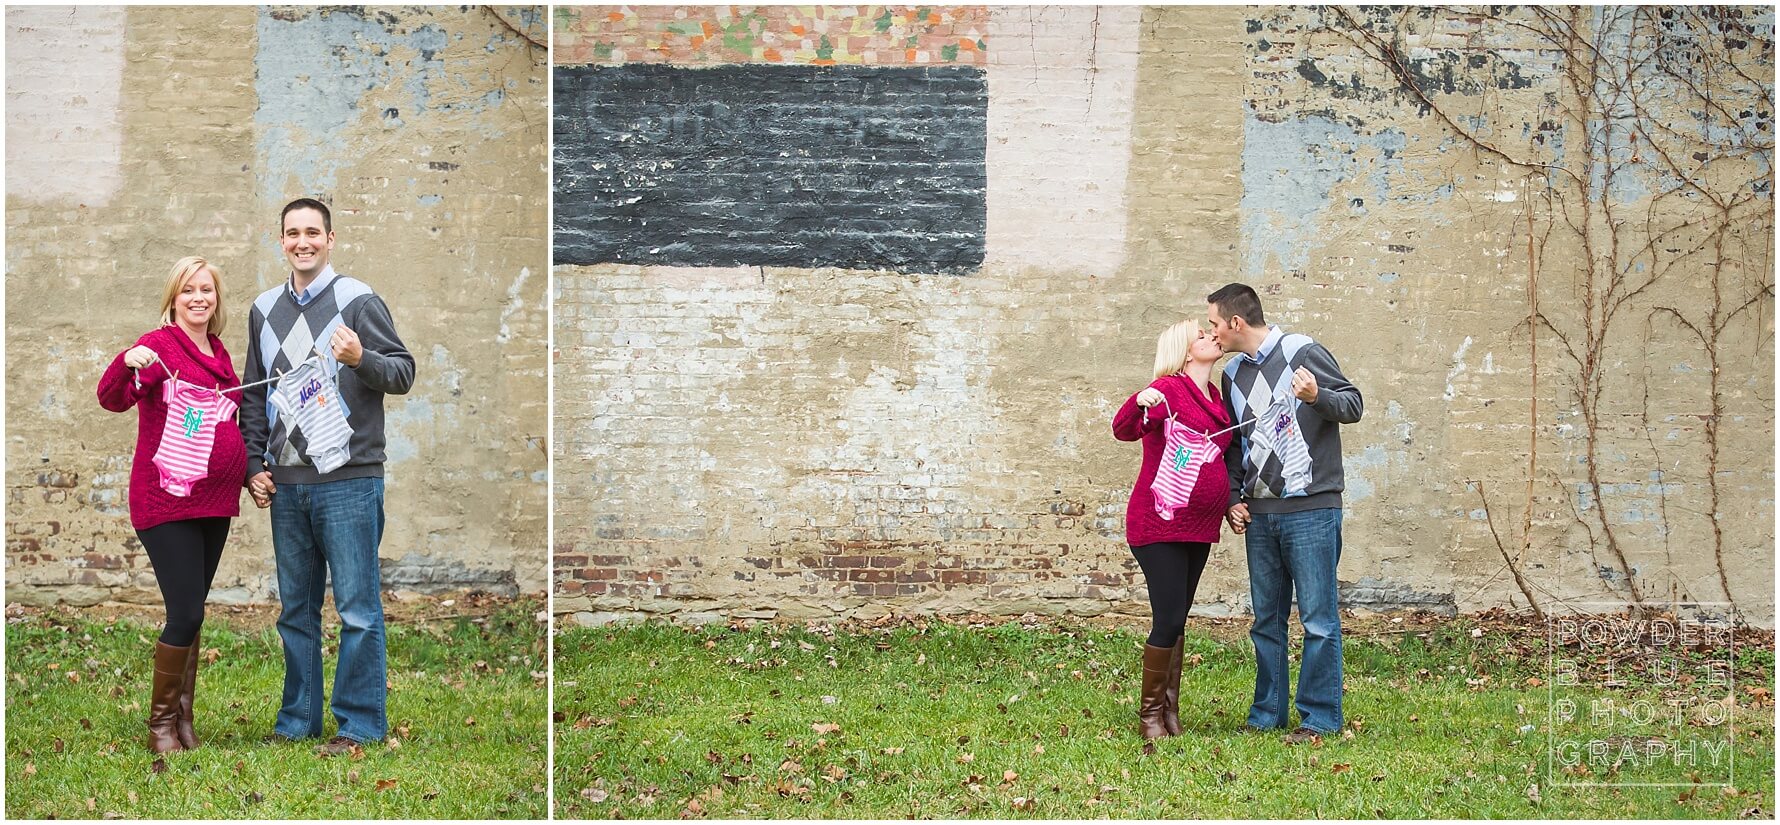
{"x":63,"y":83}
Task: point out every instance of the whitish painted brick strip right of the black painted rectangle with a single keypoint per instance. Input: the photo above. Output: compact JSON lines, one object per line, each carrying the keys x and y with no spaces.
{"x":1062,"y":86}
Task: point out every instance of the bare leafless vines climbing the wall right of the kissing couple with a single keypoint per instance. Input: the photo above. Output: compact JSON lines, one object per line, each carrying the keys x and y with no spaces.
{"x":1653,"y":161}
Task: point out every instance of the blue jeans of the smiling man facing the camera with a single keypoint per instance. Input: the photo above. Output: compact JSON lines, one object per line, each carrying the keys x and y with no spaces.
{"x":320,"y":528}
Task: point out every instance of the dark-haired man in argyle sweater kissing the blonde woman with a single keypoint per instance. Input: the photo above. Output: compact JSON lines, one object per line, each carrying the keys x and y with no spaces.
{"x":1286,"y":484}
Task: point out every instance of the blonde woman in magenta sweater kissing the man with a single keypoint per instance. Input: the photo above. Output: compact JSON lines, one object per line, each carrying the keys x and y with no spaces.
{"x":1172,"y":551}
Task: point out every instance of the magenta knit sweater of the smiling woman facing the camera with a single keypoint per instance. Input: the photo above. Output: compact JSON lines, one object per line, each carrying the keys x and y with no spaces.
{"x":216,"y":494}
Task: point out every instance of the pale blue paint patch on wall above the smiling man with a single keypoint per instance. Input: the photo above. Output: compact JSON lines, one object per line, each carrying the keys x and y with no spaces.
{"x":312,"y":76}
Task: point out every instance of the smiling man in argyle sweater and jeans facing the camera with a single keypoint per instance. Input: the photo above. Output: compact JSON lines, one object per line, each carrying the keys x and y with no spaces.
{"x":323,"y":484}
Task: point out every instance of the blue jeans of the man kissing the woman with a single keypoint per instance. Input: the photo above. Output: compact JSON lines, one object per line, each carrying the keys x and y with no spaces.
{"x":1299,"y":551}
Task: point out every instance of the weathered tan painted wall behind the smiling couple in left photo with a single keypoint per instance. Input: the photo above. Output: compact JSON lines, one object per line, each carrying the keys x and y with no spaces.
{"x":423,"y":129}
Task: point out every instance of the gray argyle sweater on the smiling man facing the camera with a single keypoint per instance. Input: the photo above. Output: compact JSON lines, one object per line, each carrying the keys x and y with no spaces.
{"x":280,"y":336}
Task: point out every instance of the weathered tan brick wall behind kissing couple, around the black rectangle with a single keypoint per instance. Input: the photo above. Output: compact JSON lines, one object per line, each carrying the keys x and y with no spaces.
{"x":829,"y":443}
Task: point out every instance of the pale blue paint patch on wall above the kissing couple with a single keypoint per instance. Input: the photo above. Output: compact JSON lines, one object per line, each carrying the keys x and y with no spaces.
{"x":1290,"y":176}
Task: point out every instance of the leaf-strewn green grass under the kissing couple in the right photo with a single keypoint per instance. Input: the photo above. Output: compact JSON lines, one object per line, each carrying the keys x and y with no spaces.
{"x":946,"y":721}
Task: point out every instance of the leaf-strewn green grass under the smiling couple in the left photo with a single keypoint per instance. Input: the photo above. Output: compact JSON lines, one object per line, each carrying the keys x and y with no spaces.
{"x":467,"y":717}
